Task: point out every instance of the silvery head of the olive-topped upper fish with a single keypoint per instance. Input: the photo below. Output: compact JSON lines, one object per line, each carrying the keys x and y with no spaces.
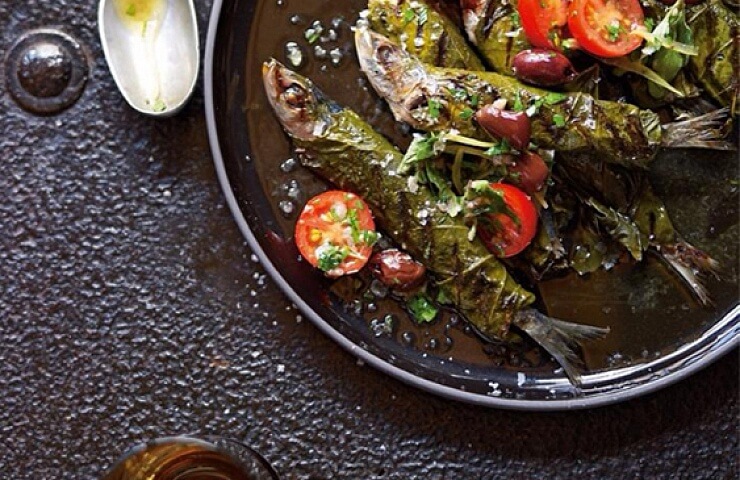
{"x":392,"y":71}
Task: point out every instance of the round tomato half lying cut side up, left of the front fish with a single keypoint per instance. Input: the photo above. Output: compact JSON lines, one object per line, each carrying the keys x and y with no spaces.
{"x":335,"y":232}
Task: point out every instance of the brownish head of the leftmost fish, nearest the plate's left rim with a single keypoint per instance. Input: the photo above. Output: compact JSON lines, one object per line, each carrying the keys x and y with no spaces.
{"x":293,"y":98}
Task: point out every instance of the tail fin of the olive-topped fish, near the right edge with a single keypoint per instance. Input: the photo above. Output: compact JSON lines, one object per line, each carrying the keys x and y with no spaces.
{"x":705,"y":131}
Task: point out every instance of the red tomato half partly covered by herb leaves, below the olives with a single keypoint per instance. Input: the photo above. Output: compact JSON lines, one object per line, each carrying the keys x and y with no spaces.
{"x":505,"y":237}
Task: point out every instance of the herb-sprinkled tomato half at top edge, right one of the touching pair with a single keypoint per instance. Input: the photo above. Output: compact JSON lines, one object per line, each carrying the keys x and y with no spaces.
{"x":605,"y":27}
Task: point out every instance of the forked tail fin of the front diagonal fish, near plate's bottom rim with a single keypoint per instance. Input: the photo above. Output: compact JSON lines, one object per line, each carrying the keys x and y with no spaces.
{"x":559,"y":338}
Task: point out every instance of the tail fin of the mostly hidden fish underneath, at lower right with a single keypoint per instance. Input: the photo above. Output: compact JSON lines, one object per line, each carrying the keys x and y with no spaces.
{"x":691,"y":264}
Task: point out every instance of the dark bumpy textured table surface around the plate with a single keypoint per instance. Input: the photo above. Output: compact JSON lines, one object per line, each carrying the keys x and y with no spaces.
{"x":131,"y":308}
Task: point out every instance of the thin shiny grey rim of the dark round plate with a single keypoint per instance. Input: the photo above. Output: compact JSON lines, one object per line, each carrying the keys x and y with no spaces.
{"x":713,"y":350}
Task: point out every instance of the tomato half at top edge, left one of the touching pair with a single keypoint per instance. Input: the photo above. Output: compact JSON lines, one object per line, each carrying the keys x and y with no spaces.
{"x":543,"y":20}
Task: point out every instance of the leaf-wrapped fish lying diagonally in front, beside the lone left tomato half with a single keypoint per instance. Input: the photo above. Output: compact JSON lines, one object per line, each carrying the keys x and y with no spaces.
{"x":340,"y":147}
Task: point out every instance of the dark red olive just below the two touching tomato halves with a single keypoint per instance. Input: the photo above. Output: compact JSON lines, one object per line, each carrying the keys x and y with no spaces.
{"x":545,"y":68}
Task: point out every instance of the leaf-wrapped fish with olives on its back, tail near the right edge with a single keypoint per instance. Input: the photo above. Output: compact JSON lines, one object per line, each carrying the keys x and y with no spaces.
{"x":573,"y":123}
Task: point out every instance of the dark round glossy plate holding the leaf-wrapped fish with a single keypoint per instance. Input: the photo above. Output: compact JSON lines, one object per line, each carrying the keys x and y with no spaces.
{"x":658,"y":332}
